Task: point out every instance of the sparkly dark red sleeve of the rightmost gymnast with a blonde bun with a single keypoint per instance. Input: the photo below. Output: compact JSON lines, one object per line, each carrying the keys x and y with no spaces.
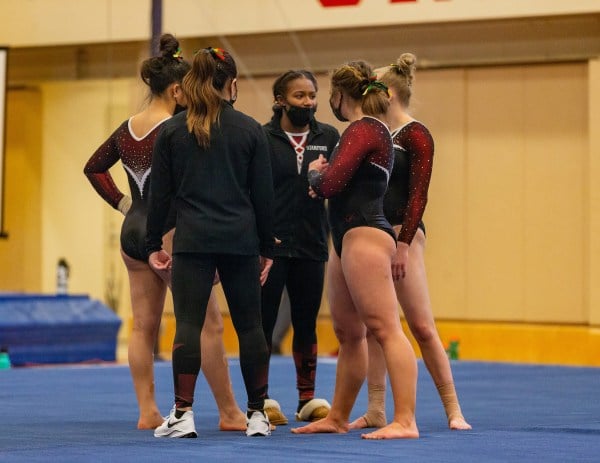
{"x":419,"y":144}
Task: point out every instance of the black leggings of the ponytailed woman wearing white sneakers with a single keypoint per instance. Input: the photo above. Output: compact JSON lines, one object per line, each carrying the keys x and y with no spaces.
{"x":192,"y":283}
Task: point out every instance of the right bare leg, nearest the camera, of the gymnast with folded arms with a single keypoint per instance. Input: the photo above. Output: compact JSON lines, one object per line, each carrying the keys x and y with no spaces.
{"x":367,"y":270}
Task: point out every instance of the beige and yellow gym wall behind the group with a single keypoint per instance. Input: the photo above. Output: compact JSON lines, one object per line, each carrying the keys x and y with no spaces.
{"x":511,"y":220}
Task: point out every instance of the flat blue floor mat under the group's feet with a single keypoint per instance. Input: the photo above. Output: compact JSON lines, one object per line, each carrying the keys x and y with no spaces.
{"x":519,"y":413}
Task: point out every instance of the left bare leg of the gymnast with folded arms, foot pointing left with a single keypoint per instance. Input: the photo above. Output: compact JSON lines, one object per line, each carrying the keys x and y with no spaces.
{"x":352,"y":358}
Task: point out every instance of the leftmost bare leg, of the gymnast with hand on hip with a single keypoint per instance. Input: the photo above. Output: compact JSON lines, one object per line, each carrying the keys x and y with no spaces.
{"x":147,"y":299}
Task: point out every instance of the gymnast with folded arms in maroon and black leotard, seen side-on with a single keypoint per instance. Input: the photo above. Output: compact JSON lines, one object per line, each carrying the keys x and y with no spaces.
{"x":360,"y":282}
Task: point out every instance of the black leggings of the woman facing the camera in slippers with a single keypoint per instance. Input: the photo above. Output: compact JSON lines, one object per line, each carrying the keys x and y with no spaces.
{"x":304,"y":281}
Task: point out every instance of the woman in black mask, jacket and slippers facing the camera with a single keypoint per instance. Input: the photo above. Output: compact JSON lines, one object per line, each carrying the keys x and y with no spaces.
{"x":301,"y":232}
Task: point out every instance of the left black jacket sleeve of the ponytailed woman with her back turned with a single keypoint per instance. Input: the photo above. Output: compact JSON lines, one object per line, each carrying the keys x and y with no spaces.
{"x":161,"y":192}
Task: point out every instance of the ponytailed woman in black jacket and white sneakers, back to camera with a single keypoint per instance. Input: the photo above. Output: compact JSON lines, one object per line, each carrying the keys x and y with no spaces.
{"x":213,"y":162}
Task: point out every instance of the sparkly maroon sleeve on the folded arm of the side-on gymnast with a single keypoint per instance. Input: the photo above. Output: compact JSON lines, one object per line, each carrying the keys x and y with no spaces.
{"x":354,"y":146}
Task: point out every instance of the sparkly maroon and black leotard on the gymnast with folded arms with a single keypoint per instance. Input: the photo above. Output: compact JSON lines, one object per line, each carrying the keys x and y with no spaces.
{"x":357,"y":179}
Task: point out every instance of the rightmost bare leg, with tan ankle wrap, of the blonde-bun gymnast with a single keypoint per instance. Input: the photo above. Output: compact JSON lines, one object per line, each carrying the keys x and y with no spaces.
{"x":413,"y":295}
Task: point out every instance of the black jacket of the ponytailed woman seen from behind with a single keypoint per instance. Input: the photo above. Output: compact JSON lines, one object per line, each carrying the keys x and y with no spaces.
{"x":223,"y":194}
